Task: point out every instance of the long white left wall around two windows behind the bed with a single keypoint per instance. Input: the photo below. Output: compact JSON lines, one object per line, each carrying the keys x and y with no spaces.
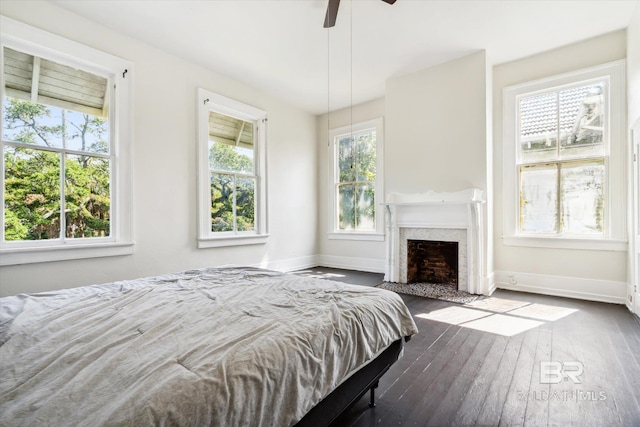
{"x":164,"y":170}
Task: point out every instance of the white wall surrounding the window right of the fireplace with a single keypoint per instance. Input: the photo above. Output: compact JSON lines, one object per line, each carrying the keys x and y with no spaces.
{"x":585,"y":273}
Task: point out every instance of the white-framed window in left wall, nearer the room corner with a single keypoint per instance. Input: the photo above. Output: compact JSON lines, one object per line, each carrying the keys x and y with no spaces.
{"x":231,"y":148}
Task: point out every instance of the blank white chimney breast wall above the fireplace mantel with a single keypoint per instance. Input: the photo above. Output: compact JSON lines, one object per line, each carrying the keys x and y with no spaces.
{"x":438,"y":133}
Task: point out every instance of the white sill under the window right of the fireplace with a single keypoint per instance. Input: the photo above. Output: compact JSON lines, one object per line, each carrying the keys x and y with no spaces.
{"x":567,"y":243}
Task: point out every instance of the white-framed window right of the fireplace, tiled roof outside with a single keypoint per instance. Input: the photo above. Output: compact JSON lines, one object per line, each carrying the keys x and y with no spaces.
{"x":564,"y":139}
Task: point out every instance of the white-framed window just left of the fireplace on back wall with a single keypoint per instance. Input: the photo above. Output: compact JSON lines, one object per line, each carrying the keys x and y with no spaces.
{"x":356,"y":181}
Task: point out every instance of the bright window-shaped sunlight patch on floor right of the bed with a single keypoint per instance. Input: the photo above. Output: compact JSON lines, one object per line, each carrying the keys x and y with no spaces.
{"x":499,"y":315}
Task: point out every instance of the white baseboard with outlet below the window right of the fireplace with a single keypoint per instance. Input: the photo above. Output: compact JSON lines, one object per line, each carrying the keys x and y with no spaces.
{"x":570,"y":287}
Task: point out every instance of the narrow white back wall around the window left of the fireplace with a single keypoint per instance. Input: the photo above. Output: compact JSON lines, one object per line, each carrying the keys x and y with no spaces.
{"x":367,"y":255}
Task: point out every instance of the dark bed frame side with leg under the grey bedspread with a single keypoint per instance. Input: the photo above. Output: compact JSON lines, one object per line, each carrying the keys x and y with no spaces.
{"x":350,"y":391}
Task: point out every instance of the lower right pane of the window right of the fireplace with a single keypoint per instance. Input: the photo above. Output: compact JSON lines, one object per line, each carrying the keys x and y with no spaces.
{"x":582,"y":192}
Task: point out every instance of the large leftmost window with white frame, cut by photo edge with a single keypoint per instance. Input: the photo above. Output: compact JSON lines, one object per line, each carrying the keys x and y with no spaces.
{"x":65,"y":163}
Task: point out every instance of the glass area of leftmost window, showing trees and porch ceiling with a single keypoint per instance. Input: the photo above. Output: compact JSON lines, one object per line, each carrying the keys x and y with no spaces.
{"x":56,"y":149}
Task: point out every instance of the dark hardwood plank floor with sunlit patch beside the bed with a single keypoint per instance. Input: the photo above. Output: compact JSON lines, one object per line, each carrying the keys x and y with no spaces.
{"x":482,"y":364}
